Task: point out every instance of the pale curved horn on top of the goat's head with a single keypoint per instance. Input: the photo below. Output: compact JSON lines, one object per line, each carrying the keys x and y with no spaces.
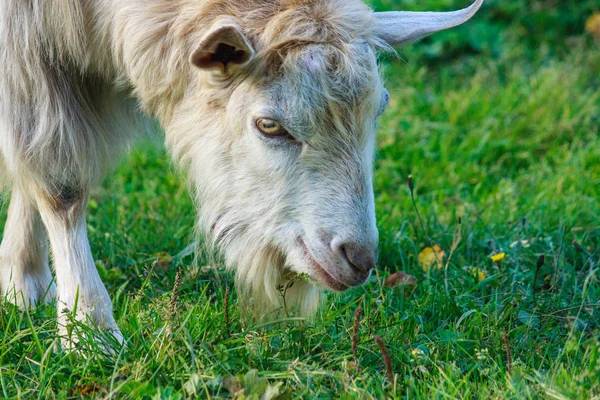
{"x":400,"y":27}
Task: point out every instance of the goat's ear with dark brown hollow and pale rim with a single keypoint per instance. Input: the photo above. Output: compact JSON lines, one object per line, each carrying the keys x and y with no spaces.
{"x":222,"y":47}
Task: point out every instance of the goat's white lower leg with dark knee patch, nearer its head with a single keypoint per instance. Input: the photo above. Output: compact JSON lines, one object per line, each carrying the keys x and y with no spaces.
{"x":80,"y":290}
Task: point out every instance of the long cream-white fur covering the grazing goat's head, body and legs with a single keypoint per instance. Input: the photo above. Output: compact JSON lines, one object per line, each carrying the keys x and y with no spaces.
{"x":75,"y":71}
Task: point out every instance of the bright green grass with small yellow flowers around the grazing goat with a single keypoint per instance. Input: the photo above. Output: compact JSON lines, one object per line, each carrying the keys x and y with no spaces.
{"x":506,"y":142}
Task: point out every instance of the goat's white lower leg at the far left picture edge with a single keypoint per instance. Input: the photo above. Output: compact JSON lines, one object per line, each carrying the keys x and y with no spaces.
{"x":25,"y":278}
